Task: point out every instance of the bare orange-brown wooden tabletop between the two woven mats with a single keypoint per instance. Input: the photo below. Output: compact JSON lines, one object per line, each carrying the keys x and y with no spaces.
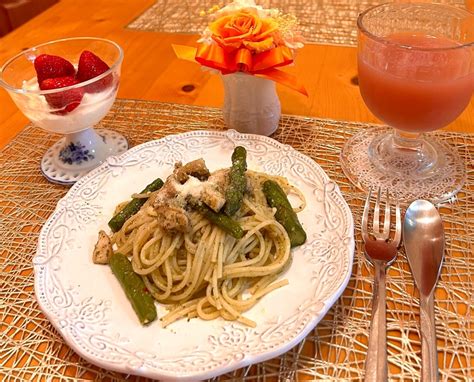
{"x":151,"y":71}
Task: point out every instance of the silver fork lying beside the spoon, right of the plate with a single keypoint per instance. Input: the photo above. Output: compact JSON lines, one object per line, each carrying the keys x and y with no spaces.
{"x":381,"y":251}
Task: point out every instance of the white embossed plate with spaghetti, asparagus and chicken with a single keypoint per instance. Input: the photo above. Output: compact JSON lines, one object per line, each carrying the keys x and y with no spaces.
{"x":194,"y":255}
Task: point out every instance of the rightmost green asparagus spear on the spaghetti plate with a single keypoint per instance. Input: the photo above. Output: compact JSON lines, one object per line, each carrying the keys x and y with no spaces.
{"x":284,"y":215}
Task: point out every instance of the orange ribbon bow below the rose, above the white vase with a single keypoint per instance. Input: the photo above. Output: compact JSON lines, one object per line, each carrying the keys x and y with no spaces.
{"x":242,"y":60}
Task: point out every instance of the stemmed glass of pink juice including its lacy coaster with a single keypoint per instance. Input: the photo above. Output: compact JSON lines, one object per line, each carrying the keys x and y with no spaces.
{"x":416,"y":73}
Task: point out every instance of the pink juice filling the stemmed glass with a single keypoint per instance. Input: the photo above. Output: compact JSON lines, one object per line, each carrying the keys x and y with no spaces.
{"x":415,"y":90}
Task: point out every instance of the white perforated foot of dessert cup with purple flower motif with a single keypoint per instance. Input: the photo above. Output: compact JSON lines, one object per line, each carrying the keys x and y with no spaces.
{"x":75,"y":155}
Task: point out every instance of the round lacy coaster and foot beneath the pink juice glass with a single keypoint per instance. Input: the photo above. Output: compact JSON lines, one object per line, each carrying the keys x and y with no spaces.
{"x":412,"y":179}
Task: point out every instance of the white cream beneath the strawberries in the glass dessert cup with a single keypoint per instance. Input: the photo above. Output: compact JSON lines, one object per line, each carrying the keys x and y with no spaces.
{"x":93,"y":107}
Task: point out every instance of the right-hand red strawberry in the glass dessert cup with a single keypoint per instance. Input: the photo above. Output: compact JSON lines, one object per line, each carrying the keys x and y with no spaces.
{"x":91,"y":66}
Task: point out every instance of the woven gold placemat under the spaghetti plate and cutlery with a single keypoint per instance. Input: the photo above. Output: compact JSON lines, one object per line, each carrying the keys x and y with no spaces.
{"x":31,"y":349}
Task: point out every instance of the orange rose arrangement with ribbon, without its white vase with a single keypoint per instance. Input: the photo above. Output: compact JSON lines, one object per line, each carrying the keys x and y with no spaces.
{"x":244,"y":37}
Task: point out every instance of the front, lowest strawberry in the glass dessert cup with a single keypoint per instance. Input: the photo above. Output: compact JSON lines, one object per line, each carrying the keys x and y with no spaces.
{"x":67,"y":100}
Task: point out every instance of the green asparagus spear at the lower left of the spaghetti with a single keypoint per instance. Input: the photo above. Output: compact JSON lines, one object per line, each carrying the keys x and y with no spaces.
{"x":142,"y":302}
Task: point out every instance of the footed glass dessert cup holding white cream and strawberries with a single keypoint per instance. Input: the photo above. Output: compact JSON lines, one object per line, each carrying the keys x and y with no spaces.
{"x":82,"y":148}
